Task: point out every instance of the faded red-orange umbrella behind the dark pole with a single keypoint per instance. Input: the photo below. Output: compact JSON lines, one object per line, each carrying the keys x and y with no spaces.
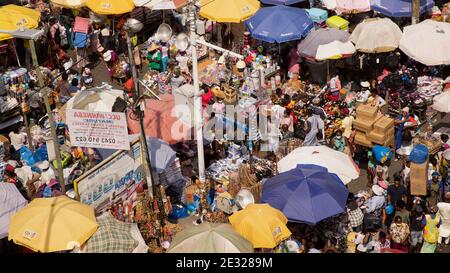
{"x":161,"y":121}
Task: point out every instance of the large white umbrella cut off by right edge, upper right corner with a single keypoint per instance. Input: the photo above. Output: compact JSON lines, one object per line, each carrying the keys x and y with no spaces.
{"x":427,"y":42}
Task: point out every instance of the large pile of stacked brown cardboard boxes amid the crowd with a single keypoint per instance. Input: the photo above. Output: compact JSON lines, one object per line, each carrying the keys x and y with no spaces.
{"x":372,"y":127}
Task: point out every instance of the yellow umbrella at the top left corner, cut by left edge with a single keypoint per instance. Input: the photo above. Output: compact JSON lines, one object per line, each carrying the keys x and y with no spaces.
{"x":13,"y":17}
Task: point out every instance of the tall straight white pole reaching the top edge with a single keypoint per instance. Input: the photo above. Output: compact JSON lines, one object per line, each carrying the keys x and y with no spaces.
{"x":198,"y":98}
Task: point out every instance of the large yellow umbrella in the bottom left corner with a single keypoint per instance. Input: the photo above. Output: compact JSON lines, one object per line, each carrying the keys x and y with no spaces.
{"x":53,"y":224}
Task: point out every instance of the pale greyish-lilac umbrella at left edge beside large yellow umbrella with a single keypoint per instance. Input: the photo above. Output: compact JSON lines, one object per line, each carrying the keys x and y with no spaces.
{"x":11,"y":201}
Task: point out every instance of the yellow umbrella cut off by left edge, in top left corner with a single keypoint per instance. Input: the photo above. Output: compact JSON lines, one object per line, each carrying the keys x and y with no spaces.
{"x":14,"y":21}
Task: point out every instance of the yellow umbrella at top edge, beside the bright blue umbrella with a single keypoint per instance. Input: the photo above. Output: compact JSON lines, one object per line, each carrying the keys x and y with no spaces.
{"x":228,"y":11}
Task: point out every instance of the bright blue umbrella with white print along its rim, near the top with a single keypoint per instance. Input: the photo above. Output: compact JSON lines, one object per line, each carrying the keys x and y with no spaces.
{"x":279,"y":24}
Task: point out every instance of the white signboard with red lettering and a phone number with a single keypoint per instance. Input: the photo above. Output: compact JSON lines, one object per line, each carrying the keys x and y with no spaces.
{"x":105,"y":130}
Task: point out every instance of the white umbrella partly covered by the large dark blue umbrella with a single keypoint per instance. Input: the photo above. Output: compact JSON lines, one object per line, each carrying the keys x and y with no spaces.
{"x":336,"y":162}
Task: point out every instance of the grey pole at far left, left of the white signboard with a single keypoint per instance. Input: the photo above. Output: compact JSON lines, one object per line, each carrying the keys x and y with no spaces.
{"x":44,"y":92}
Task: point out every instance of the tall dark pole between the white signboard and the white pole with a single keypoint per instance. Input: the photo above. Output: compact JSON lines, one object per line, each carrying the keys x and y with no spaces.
{"x":143,"y":140}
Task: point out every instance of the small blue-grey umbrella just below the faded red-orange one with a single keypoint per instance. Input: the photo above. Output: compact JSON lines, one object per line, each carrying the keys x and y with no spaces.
{"x":160,"y":153}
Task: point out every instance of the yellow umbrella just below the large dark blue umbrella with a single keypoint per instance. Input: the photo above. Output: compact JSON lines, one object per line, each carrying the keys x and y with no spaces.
{"x":262,"y":225}
